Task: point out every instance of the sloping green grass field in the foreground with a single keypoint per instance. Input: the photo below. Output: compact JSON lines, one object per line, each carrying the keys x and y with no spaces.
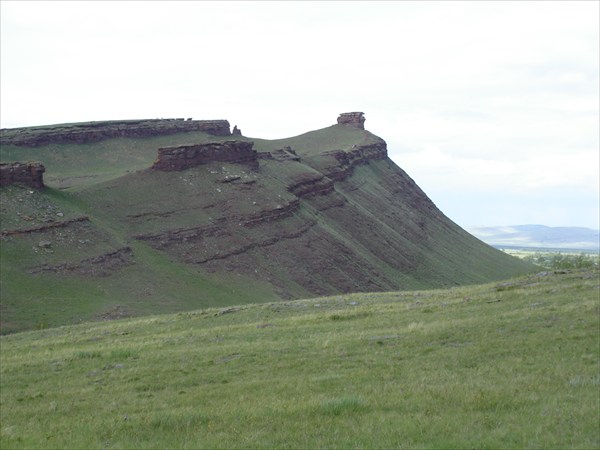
{"x":511,"y":364}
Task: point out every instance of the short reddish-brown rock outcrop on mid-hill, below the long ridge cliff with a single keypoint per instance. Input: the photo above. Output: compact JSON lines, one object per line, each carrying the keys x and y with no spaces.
{"x":186,"y":156}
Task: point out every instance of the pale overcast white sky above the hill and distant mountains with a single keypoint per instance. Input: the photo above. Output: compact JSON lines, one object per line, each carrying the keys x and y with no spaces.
{"x":491,"y":107}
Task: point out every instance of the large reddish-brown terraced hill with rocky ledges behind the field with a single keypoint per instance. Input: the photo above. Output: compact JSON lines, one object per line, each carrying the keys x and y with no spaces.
{"x":142,"y":217}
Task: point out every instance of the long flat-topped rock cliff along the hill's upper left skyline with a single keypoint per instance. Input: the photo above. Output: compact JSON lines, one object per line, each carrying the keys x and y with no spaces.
{"x":83,"y":133}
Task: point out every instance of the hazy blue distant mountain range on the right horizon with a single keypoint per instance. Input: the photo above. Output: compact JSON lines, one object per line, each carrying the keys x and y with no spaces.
{"x":539,"y":236}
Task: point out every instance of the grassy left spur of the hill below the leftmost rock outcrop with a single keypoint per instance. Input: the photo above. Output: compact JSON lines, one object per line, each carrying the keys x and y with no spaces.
{"x":56,"y":276}
